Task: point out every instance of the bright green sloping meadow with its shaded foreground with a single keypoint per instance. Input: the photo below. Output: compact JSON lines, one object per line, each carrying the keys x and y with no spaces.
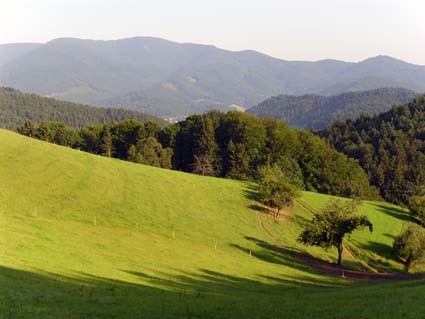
{"x":82,"y":236}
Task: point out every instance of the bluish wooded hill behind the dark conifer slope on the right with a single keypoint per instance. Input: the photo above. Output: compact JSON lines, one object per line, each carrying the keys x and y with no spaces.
{"x":318,"y":112}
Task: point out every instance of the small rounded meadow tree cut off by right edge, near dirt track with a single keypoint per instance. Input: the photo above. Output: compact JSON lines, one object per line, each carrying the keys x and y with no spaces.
{"x":410,"y":246}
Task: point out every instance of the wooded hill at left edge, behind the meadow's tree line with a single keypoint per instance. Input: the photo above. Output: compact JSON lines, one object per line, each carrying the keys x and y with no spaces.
{"x":17,"y":107}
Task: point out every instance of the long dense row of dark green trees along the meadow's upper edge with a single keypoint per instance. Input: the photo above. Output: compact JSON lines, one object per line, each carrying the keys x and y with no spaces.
{"x":233,"y":145}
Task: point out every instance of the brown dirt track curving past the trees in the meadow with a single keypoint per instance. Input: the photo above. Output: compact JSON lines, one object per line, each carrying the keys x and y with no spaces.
{"x":331,"y":268}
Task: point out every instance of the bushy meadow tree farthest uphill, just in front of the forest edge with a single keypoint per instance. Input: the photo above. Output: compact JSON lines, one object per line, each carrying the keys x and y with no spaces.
{"x":273,"y":189}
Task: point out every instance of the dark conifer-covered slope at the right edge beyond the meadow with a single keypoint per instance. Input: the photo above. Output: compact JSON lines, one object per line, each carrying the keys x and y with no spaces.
{"x":390,"y":147}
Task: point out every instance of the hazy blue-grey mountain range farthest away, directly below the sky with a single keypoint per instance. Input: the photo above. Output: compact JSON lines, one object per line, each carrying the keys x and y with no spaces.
{"x":172,"y":79}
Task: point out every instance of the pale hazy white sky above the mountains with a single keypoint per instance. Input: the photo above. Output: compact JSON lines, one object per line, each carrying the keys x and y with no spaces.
{"x":294,"y":30}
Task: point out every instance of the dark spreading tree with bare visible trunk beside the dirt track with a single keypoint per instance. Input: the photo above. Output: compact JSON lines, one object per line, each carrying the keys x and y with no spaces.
{"x":329,"y":227}
